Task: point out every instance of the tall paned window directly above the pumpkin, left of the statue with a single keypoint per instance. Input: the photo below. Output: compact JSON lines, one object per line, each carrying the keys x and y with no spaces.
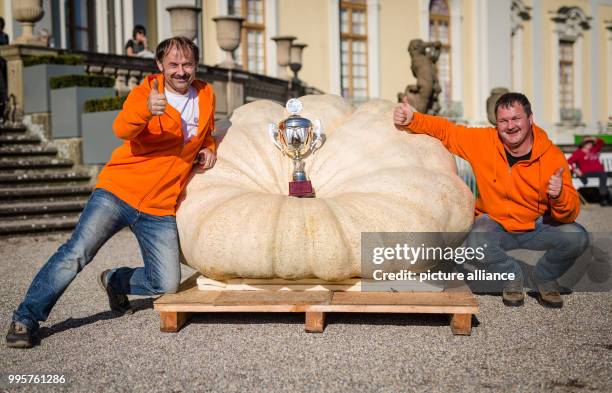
{"x":354,"y":50}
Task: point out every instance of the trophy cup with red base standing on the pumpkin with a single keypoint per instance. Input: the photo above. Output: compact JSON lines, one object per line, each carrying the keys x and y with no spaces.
{"x":297,"y":138}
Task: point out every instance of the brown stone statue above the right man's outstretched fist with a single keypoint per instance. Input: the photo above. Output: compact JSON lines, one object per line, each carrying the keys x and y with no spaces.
{"x":424,"y":95}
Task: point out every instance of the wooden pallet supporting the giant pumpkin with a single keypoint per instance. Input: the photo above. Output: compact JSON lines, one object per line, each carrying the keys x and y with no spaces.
{"x":456,"y":300}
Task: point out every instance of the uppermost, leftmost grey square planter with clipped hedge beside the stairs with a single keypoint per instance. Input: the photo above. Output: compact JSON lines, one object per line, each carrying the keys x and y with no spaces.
{"x":36,"y":73}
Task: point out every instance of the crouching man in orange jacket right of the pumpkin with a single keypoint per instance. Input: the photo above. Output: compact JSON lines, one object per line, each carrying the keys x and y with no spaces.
{"x":526,"y":197}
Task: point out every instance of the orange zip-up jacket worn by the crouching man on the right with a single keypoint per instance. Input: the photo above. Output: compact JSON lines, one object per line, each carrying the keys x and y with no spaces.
{"x":513,"y":196}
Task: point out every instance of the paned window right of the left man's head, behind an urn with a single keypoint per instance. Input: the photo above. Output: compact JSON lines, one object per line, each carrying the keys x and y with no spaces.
{"x":251,"y":52}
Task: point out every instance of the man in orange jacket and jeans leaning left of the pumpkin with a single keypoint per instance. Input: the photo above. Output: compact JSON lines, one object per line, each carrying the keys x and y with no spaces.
{"x":166,"y":123}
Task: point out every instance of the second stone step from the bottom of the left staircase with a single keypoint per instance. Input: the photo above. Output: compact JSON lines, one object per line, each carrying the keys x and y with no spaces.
{"x":28,"y":210}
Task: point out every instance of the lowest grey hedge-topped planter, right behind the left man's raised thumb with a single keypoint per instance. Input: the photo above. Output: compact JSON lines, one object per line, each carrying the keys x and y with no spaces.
{"x":99,"y":140}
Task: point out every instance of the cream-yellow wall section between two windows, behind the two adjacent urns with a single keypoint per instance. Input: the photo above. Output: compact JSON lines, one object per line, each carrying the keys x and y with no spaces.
{"x":310,"y":24}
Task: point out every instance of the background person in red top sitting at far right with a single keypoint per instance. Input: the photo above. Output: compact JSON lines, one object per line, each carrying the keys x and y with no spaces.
{"x":585,"y":163}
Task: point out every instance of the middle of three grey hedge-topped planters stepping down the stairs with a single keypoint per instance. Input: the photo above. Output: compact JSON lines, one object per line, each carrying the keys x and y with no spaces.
{"x":68,"y":96}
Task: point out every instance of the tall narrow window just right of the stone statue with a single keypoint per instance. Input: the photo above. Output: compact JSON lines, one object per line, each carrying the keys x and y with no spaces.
{"x":439,"y":30}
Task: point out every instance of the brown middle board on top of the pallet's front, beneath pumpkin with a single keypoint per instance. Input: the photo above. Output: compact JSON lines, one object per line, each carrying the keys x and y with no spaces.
{"x":266,"y":298}
